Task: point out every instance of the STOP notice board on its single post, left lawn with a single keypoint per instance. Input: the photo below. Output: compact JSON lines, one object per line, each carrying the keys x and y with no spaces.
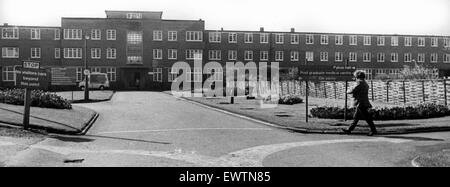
{"x":29,"y":77}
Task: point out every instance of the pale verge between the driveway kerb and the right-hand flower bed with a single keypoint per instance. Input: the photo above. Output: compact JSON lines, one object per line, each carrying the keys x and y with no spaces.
{"x":293,"y":118}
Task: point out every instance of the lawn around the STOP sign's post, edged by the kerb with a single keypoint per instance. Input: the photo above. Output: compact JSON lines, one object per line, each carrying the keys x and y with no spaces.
{"x":71,"y":121}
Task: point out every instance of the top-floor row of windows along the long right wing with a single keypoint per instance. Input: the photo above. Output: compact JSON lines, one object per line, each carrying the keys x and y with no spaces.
{"x":216,"y":37}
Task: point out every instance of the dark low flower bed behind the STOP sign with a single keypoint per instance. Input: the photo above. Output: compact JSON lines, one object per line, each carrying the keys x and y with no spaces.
{"x":38,"y":99}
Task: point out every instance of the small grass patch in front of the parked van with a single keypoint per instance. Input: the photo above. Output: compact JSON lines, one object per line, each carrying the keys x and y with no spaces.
{"x":95,"y":95}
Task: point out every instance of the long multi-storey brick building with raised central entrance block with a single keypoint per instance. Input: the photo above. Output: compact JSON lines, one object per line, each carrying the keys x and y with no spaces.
{"x":138,"y":49}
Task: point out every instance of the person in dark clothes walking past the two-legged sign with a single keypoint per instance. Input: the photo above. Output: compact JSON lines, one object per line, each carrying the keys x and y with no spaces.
{"x":361,"y":103}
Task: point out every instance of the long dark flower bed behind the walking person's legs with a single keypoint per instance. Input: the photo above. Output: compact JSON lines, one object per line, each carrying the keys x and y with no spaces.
{"x":422,"y":111}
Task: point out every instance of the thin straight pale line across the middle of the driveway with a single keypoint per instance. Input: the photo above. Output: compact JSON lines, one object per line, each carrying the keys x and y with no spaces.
{"x":185,"y":129}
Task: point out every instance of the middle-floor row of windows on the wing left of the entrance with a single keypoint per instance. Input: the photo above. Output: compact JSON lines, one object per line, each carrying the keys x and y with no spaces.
{"x":69,"y":53}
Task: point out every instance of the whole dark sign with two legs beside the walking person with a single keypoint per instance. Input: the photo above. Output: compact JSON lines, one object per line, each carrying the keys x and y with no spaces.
{"x":325,"y":73}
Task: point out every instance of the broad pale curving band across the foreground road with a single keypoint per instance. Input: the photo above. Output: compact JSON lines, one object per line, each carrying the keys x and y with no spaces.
{"x":250,"y":157}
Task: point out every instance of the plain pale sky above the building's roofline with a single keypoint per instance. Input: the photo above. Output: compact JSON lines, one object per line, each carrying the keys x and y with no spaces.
{"x":354,"y":16}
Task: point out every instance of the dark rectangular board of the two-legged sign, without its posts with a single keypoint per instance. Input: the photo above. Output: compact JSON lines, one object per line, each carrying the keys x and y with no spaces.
{"x":326,"y":72}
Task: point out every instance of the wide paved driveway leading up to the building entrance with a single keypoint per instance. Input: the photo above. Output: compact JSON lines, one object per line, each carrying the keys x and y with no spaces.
{"x":155,"y":129}
